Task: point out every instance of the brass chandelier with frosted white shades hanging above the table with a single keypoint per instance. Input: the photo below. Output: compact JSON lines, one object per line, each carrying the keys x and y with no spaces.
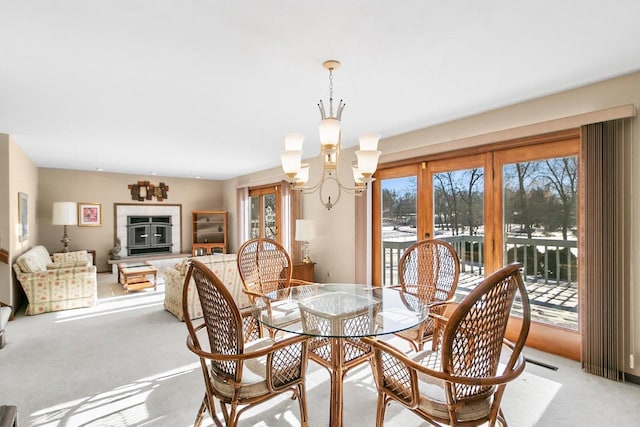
{"x":330,"y":137}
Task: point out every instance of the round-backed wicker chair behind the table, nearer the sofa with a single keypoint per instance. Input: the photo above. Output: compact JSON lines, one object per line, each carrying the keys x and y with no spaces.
{"x":265,"y":266}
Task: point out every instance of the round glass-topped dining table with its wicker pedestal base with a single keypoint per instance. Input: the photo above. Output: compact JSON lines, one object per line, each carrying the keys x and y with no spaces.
{"x":336,"y":316}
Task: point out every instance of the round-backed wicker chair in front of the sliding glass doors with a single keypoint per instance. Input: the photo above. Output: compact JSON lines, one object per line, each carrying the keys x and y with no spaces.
{"x":430,"y":269}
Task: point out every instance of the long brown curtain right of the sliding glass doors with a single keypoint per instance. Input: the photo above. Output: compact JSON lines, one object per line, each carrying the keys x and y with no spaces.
{"x":605,"y":259}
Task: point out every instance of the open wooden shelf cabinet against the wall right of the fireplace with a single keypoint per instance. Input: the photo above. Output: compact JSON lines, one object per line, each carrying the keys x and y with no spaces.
{"x":209,"y":232}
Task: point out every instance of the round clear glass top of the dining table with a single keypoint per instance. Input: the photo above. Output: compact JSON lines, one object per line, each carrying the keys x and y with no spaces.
{"x":340,"y":310}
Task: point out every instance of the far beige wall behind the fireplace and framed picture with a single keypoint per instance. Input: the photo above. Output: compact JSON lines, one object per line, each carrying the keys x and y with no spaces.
{"x":58,"y":185}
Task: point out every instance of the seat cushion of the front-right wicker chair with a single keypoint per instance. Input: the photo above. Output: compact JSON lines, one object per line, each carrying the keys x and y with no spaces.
{"x":433,"y":400}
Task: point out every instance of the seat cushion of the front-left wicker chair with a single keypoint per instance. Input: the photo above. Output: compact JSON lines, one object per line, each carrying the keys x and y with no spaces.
{"x":254,"y":374}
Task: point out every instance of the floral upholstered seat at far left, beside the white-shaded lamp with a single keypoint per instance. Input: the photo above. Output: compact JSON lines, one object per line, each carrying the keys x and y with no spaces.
{"x":64,"y":281}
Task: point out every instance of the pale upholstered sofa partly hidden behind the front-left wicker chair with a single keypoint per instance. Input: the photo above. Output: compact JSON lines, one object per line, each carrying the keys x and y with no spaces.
{"x":223,"y":265}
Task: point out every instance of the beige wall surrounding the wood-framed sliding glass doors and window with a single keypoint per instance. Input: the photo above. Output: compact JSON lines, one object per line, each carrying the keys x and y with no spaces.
{"x":334,"y":250}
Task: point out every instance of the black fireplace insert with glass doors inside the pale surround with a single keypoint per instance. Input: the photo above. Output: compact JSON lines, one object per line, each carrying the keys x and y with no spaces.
{"x":148,"y":235}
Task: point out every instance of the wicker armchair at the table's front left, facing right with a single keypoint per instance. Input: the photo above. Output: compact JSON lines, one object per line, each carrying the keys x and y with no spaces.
{"x":238,"y":374}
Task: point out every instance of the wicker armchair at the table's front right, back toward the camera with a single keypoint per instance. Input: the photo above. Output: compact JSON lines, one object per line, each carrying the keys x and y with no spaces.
{"x":461,"y":383}
